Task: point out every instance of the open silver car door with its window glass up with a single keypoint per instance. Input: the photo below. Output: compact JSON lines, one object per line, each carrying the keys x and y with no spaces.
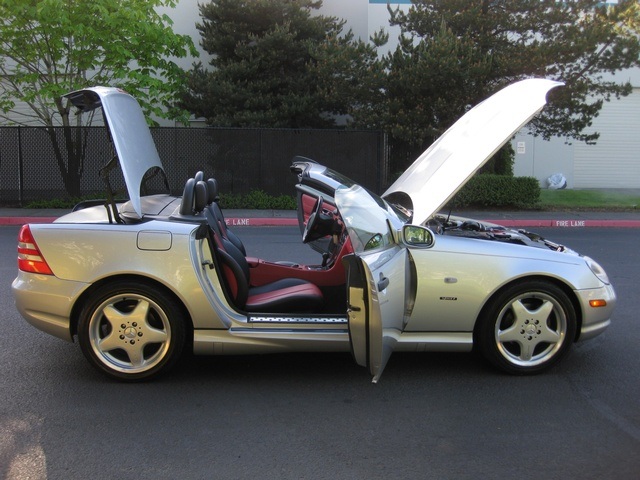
{"x":377,"y":278}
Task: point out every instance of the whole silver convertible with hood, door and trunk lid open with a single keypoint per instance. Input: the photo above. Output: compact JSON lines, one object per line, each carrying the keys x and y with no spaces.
{"x":140,"y":281}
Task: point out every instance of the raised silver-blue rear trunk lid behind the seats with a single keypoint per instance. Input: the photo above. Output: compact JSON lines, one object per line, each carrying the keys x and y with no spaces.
{"x":130,"y":134}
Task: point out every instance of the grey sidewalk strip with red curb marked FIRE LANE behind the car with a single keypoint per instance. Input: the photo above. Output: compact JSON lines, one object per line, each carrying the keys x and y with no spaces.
{"x":507,"y":218}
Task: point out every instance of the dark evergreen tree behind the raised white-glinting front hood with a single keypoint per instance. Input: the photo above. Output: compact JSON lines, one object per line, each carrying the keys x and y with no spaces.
{"x":454,"y":53}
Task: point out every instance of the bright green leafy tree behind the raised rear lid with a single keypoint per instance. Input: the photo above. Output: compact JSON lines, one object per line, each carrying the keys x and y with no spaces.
{"x":51,"y":47}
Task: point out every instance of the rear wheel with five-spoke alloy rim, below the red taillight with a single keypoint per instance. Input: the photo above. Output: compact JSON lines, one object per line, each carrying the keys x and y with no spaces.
{"x":131,"y":331}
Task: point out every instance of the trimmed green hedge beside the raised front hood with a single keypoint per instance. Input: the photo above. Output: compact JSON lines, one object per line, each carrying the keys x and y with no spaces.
{"x":498,"y":191}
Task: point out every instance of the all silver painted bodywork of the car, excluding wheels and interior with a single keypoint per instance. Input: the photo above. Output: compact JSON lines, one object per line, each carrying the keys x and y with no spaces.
{"x":415,"y":297}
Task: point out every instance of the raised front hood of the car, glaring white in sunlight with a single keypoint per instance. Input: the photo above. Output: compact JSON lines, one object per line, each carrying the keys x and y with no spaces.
{"x":450,"y":161}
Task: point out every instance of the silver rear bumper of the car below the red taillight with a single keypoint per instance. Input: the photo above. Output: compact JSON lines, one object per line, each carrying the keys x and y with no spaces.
{"x":46,"y":302}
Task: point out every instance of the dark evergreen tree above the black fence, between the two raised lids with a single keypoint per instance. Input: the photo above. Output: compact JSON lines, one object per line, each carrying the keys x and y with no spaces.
{"x":275,"y":64}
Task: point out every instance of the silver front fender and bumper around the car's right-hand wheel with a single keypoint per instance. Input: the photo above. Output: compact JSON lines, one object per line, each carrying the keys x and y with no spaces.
{"x":457,"y":276}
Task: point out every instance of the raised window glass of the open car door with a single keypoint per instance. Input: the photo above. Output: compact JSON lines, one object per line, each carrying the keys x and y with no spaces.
{"x":371,"y":222}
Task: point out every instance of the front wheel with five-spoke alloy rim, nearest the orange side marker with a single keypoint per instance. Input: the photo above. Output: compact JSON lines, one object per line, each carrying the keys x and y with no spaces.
{"x":527,"y":328}
